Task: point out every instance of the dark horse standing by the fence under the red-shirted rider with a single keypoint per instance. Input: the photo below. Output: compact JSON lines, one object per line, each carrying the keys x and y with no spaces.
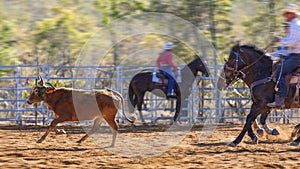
{"x":142,"y":82}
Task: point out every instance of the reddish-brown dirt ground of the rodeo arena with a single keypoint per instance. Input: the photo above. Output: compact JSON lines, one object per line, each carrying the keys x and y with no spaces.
{"x":18,"y":149}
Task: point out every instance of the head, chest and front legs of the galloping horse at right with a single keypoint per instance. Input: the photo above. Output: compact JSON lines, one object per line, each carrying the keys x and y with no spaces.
{"x":250,"y":64}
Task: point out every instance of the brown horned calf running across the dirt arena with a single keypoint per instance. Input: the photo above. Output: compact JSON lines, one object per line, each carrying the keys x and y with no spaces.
{"x":61,"y":102}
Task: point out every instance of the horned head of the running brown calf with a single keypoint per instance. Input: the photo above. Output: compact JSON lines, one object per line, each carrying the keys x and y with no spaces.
{"x":39,"y":91}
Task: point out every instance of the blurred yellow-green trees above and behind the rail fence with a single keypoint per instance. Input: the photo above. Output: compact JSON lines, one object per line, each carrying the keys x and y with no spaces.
{"x":55,"y":32}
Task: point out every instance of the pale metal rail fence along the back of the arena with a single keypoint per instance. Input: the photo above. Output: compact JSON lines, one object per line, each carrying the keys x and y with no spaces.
{"x":199,"y":106}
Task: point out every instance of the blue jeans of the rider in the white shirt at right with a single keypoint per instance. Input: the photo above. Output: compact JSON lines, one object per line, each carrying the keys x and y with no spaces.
{"x":290,"y":64}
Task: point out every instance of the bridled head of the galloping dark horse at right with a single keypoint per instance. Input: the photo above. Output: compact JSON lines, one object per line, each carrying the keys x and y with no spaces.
{"x":233,"y":67}
